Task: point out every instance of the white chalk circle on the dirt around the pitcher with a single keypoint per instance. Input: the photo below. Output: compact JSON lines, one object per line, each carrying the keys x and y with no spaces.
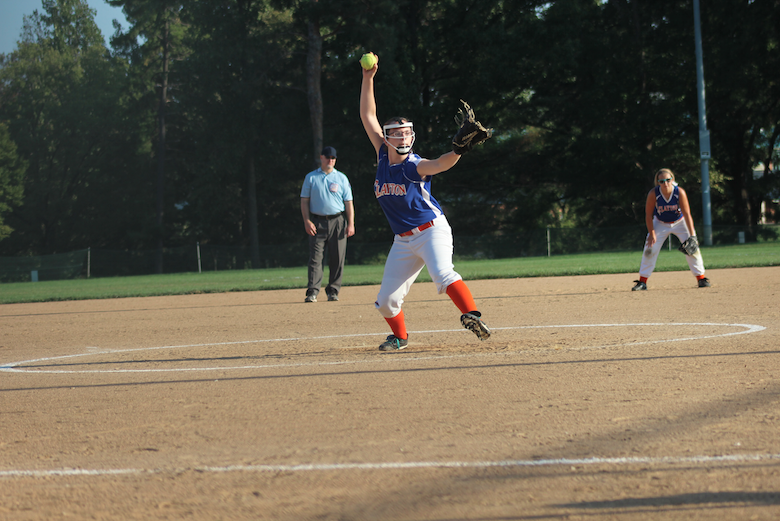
{"x":14,"y":367}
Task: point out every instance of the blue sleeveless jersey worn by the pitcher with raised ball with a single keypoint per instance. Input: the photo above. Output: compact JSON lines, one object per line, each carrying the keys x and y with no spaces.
{"x":402,"y":194}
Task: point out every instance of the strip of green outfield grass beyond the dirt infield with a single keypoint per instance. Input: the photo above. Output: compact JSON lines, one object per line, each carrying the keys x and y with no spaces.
{"x":738,"y":256}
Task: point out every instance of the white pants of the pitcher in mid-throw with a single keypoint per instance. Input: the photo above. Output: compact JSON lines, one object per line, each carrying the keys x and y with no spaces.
{"x":431,"y":247}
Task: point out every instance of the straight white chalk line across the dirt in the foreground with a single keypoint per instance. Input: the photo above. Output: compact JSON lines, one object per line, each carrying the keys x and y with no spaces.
{"x":326,"y":467}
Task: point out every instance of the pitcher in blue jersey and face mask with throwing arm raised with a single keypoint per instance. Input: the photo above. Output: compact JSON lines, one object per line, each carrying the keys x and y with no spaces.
{"x":423,"y":236}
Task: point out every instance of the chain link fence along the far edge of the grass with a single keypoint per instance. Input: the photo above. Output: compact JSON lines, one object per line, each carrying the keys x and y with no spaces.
{"x":93,"y":262}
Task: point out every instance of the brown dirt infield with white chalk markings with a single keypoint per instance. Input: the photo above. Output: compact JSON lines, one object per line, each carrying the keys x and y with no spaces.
{"x":589,"y":402}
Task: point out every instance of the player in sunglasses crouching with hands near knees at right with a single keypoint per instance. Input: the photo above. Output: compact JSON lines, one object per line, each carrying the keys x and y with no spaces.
{"x":667,"y":212}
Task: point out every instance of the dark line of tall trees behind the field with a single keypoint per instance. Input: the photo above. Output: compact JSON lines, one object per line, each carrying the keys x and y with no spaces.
{"x":200,"y":121}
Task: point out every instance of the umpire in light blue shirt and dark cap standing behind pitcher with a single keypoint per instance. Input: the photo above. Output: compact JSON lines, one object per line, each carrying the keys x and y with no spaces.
{"x":326,"y":196}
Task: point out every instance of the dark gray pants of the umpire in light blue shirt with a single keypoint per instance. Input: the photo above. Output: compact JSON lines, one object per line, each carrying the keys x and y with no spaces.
{"x":333,"y":234}
